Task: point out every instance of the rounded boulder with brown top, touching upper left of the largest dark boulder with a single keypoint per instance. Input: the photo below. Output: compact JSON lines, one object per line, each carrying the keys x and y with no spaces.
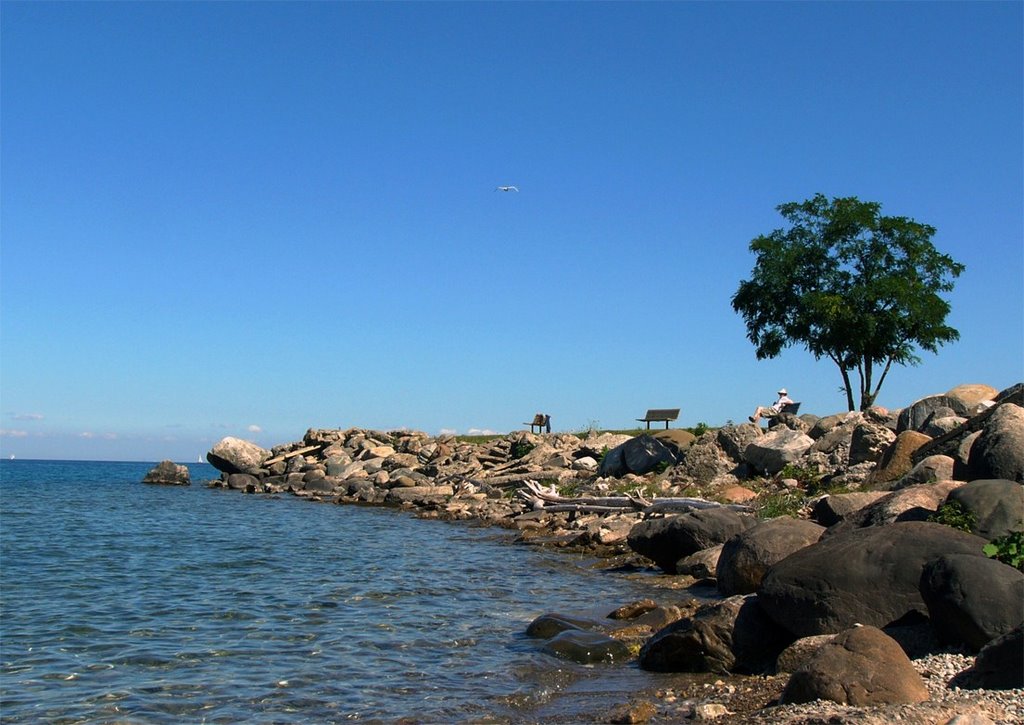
{"x":747,"y":557}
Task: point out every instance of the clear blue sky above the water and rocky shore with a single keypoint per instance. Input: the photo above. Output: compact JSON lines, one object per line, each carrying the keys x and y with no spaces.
{"x":253,"y":219}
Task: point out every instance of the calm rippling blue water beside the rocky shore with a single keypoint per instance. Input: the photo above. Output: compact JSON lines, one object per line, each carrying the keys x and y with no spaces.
{"x":124,"y":603}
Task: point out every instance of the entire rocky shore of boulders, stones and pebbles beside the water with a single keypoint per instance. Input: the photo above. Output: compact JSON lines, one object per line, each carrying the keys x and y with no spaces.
{"x":860,"y":563}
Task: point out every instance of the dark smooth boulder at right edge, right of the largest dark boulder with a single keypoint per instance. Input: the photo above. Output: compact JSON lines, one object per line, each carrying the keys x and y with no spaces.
{"x":972,"y":602}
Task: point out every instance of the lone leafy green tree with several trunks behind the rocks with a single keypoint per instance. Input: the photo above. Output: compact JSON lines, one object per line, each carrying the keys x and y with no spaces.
{"x":849,"y":285}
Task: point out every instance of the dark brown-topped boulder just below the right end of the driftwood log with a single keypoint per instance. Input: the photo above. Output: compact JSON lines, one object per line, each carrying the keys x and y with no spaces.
{"x":666,"y":541}
